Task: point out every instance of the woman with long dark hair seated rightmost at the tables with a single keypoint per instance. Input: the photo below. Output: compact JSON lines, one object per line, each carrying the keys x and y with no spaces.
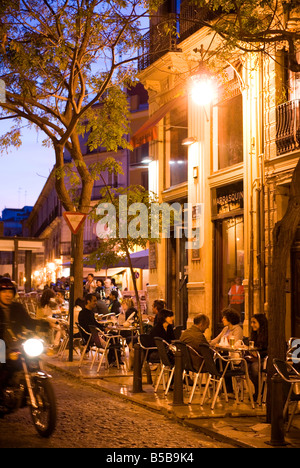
{"x":259,"y":335}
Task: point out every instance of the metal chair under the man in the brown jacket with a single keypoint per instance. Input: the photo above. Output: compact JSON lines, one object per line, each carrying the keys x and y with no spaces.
{"x":187,"y":353}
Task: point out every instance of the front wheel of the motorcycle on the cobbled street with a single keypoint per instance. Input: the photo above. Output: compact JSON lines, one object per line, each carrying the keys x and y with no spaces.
{"x":44,"y":417}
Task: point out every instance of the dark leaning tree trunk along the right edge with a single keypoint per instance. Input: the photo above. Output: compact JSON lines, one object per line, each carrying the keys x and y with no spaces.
{"x":283,"y":237}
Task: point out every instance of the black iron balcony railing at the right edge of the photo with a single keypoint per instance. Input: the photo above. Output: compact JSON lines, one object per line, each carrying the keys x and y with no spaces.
{"x":288,"y":126}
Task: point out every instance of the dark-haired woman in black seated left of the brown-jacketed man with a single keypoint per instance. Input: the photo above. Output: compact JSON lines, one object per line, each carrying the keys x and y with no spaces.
{"x":163,"y":329}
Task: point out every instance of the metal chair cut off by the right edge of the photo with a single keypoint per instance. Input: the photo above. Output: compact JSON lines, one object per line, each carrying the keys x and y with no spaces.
{"x":291,"y":377}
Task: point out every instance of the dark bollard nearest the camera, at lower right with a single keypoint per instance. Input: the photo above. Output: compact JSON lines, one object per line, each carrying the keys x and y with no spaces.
{"x":277,"y":404}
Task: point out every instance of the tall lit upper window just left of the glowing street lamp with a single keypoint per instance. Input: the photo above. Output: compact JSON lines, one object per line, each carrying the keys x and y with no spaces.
{"x":176,"y":130}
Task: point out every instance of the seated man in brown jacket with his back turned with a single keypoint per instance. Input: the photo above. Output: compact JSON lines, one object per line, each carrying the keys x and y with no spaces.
{"x":194,"y":336}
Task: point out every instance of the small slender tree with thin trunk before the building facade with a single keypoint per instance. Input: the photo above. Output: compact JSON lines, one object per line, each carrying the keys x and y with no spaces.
{"x":127,"y":217}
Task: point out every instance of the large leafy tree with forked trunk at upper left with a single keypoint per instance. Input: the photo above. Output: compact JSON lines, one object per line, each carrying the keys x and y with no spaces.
{"x":64,"y":64}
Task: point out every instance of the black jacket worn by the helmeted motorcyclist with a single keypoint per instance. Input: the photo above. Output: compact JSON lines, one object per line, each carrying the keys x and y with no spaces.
{"x":19,"y":320}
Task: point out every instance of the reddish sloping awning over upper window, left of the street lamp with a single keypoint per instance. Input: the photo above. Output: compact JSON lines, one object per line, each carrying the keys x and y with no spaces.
{"x":148,"y":131}
